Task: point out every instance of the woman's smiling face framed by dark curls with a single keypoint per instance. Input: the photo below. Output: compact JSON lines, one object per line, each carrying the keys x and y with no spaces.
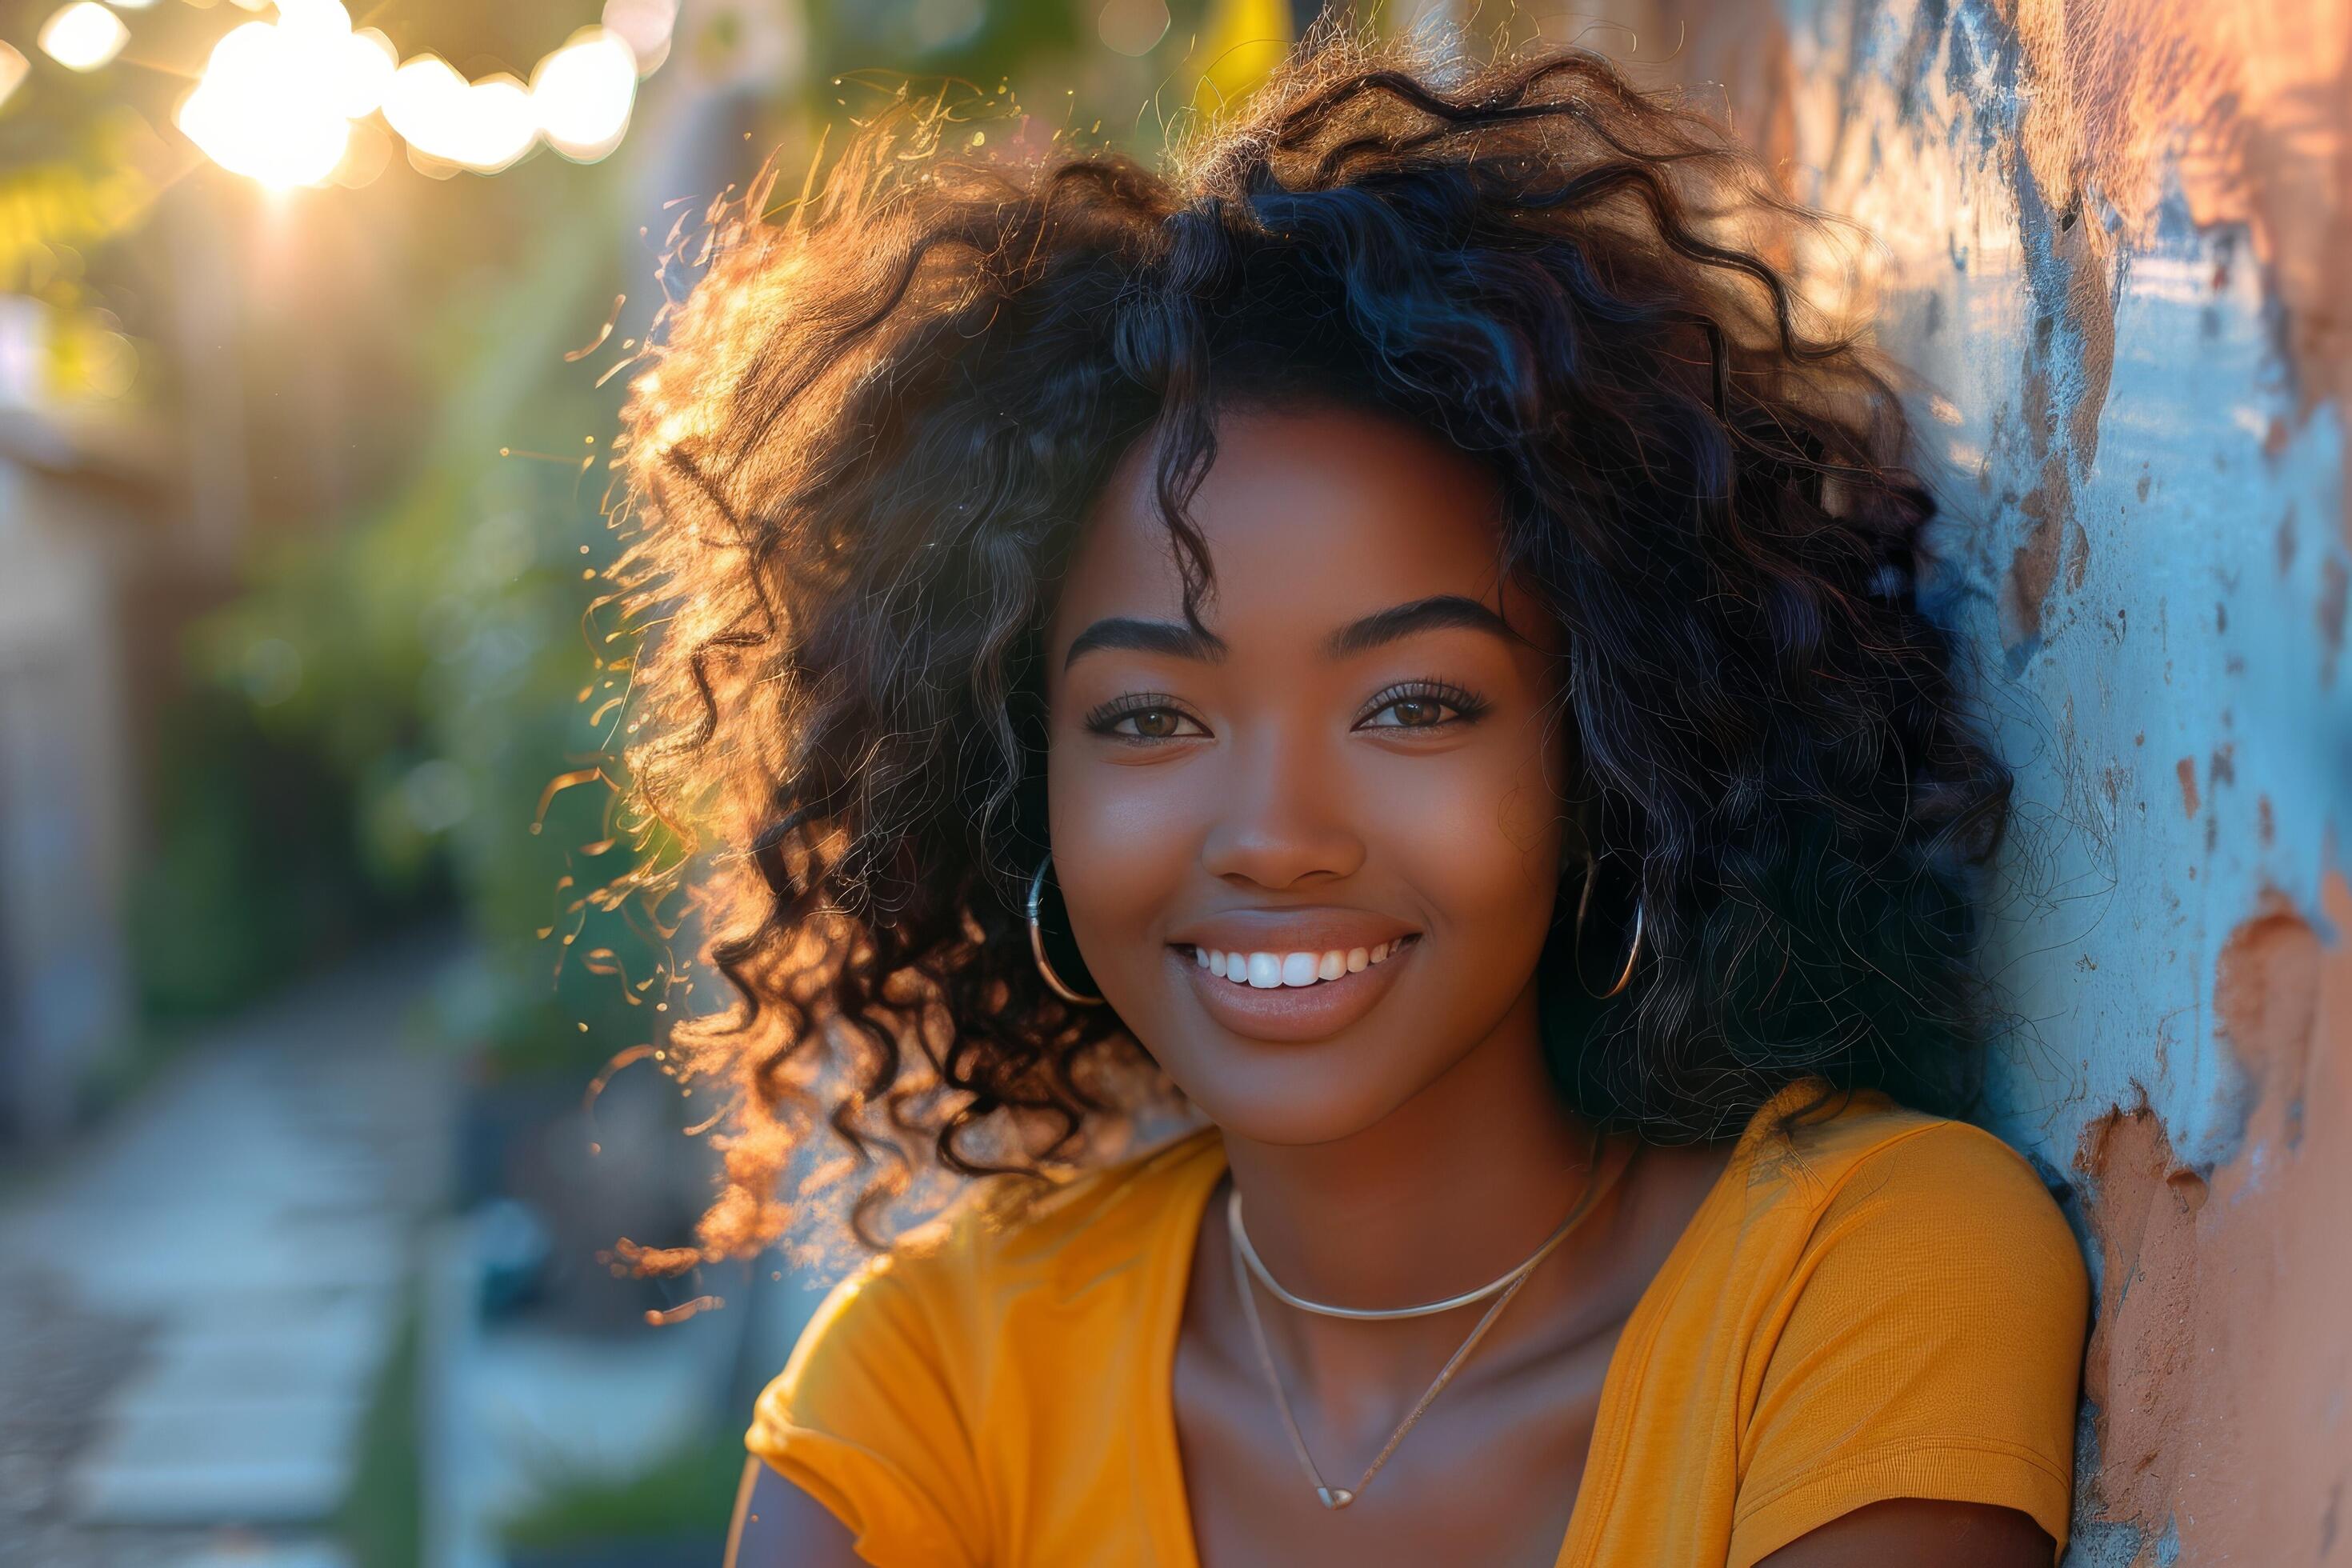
{"x":1361,"y":763}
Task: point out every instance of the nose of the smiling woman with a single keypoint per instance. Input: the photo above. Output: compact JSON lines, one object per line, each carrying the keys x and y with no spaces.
{"x":1285,"y":815}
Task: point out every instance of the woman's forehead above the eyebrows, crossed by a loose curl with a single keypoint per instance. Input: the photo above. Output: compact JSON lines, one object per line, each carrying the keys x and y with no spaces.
{"x":1311,"y":518}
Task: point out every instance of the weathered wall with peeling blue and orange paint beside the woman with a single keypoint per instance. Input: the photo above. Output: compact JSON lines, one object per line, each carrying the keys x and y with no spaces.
{"x":2118,"y":248}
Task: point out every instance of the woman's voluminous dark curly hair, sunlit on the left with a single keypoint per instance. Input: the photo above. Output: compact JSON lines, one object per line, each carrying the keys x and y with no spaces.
{"x":867,"y":443}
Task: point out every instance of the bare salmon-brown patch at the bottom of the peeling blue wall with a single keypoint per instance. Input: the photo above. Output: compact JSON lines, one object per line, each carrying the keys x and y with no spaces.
{"x":2219,"y":1372}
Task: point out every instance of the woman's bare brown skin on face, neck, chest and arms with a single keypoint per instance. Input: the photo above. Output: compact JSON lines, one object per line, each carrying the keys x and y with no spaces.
{"x":1323,"y":775}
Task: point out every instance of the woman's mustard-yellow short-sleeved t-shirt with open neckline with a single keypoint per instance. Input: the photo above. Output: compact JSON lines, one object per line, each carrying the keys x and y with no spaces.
{"x":1869,"y":1306}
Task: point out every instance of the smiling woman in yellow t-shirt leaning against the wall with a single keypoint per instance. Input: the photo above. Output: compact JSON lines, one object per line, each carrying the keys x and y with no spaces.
{"x":1398,"y":636}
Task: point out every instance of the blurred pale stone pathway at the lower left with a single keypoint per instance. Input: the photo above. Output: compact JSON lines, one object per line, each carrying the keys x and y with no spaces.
{"x":196,"y":1306}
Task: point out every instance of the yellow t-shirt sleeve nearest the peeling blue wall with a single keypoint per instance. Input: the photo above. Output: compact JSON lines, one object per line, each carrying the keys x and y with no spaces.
{"x":1930,"y":1346}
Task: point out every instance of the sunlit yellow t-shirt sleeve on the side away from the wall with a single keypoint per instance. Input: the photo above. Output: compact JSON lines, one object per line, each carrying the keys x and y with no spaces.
{"x":864,"y":1419}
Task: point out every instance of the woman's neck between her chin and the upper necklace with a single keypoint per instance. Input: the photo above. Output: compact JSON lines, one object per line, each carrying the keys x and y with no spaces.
{"x":1445,"y":1193}
